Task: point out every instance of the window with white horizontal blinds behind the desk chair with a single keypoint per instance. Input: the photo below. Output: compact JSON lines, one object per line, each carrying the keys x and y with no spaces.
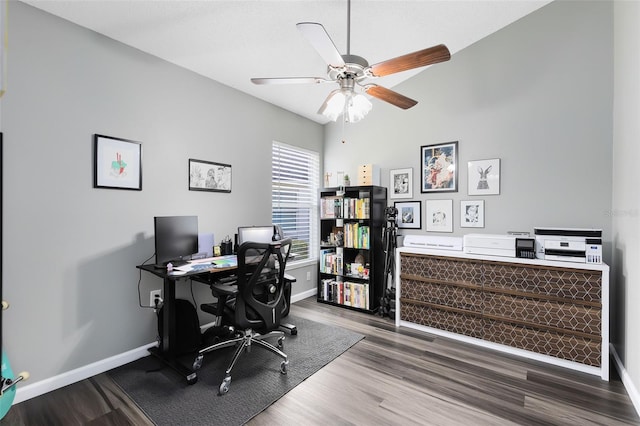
{"x":294,"y":183}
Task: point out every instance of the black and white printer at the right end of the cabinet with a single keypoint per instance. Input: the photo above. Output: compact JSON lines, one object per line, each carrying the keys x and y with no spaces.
{"x":569,"y":244}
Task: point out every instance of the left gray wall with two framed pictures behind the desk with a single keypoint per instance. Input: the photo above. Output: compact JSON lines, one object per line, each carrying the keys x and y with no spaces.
{"x":70,"y":250}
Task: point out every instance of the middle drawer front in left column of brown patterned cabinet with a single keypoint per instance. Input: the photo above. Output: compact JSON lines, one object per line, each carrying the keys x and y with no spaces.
{"x":442,"y":294}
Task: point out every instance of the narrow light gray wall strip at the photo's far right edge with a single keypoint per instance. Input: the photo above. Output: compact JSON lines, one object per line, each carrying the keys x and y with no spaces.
{"x":626,"y":202}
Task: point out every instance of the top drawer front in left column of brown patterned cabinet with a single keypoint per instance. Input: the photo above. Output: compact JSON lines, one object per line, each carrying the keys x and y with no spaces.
{"x":441,"y":269}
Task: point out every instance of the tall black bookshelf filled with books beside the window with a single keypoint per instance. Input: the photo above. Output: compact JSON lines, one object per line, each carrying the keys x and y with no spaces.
{"x":351,"y":267}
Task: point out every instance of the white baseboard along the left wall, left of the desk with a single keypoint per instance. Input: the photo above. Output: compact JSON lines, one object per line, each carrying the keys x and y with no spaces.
{"x":32,"y":390}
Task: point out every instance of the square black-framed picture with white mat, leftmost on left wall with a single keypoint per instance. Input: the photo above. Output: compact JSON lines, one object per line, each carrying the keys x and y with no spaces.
{"x":117,"y":163}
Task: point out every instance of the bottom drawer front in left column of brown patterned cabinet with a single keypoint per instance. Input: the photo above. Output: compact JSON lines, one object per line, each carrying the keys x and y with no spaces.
{"x":468,"y":325}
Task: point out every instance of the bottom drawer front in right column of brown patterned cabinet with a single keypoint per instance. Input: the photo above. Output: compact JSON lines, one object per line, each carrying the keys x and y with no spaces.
{"x":572,"y":348}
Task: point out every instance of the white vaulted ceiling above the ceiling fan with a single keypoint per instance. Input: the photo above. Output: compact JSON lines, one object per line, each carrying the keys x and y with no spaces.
{"x":232,"y":41}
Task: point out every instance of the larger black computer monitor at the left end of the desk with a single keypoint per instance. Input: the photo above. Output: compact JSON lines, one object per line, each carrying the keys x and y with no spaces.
{"x":176,"y":238}
